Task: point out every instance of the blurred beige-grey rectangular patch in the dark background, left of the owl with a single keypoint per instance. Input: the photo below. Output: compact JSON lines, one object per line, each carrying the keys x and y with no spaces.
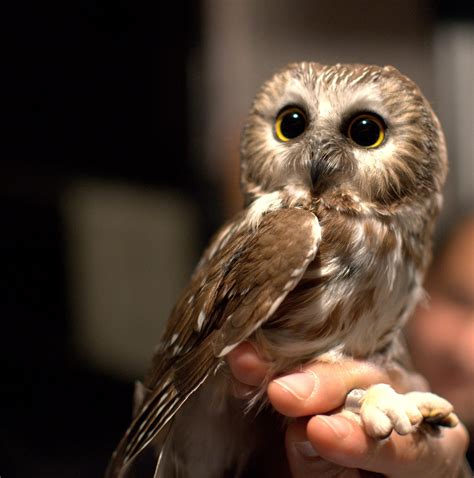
{"x":131,"y":251}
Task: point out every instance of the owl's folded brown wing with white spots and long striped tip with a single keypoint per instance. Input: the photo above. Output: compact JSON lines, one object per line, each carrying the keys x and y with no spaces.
{"x":243,"y":278}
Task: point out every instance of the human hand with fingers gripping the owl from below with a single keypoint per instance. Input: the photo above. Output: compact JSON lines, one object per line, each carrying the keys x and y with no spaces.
{"x":320,"y":436}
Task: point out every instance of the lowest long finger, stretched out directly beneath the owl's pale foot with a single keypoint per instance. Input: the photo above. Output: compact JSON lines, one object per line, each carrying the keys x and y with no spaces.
{"x":343,"y":441}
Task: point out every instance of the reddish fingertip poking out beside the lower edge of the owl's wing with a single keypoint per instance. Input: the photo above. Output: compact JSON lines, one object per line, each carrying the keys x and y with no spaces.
{"x":246,"y":365}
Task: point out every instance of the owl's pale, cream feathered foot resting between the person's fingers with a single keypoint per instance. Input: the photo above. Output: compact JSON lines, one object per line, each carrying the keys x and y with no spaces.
{"x":383,"y":410}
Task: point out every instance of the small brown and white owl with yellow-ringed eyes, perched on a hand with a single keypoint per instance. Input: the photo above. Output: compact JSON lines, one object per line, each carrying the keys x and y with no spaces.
{"x":341,"y":169}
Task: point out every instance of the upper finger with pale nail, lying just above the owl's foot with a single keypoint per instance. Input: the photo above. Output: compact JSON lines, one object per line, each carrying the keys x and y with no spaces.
{"x":322,"y":387}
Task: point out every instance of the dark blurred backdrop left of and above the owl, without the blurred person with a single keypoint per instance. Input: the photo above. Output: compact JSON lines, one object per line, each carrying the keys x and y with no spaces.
{"x":119,"y":156}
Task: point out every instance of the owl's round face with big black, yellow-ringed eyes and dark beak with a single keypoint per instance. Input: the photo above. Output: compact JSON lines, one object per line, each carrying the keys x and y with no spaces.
{"x":363,"y":130}
